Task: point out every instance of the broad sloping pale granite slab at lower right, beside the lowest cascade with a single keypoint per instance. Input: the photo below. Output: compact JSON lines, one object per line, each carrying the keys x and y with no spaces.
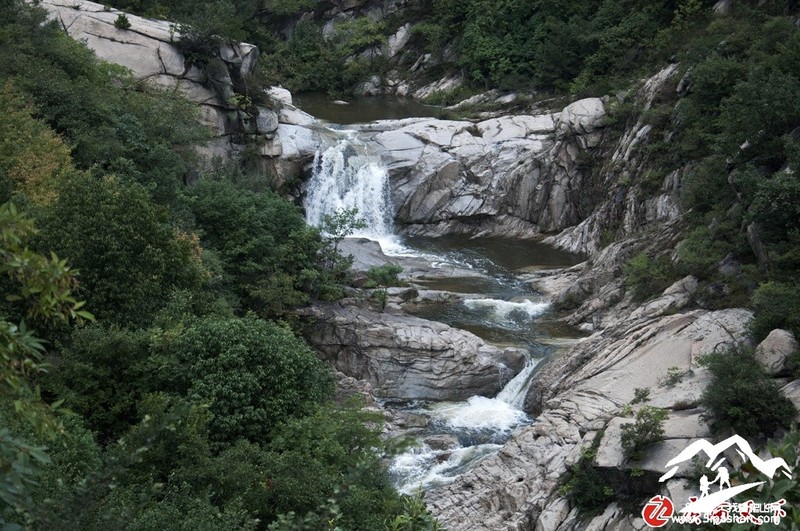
{"x":577,"y":395}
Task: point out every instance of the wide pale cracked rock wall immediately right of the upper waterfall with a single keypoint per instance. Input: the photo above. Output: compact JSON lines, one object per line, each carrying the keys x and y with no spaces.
{"x":511,"y":175}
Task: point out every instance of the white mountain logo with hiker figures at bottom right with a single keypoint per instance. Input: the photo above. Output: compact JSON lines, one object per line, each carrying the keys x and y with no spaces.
{"x":707,"y":501}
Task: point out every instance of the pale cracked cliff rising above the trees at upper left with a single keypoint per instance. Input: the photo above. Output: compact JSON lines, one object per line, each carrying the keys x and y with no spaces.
{"x":150,"y":50}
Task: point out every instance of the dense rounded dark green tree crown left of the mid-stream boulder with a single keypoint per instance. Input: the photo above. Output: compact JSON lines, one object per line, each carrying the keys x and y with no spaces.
{"x":254,"y":374}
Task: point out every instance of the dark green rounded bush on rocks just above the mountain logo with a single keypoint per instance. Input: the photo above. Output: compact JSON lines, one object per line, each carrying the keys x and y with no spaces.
{"x":741,"y":397}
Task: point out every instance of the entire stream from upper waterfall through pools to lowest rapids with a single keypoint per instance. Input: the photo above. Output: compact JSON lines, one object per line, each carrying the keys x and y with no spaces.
{"x":496,"y":305}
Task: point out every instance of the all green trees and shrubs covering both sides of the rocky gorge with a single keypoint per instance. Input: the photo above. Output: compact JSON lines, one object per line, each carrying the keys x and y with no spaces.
{"x":184,"y":399}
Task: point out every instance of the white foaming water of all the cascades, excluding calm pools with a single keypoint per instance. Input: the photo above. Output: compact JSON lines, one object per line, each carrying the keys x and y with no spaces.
{"x":346,"y":176}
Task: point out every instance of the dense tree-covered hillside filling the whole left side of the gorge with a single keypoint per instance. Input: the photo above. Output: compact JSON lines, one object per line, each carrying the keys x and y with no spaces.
{"x":149,"y":374}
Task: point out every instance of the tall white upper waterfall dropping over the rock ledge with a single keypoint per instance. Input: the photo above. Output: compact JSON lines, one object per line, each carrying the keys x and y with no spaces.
{"x":345,"y":176}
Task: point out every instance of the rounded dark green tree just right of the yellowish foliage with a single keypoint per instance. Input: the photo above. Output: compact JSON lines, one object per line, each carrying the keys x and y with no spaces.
{"x":130,"y":258}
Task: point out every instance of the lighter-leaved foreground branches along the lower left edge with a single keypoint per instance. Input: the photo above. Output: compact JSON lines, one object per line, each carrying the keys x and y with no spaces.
{"x":45,"y":286}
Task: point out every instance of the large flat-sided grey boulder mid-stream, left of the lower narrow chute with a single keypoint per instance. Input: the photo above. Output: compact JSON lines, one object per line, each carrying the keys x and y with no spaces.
{"x":406,"y":357}
